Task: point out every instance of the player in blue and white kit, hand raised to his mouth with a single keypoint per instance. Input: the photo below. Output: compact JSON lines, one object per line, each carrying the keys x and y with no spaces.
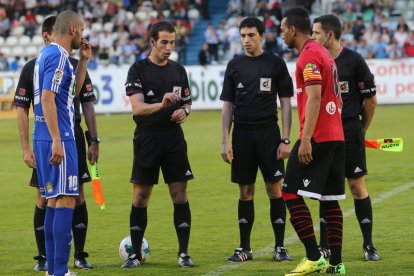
{"x":55,"y":86}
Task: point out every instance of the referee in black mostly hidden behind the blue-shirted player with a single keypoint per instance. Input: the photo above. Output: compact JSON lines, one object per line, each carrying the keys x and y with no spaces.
{"x":23,"y":98}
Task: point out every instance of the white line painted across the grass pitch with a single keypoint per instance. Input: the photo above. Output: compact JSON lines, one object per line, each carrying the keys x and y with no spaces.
{"x":294,"y":238}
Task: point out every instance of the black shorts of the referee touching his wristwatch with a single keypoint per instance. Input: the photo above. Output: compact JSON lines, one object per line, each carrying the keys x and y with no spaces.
{"x":165,"y":149}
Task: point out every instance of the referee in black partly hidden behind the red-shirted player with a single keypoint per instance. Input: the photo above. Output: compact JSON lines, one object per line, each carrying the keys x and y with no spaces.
{"x":358,"y":90}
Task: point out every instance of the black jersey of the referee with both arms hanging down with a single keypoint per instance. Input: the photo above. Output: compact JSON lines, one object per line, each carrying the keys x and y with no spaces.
{"x":252,"y":85}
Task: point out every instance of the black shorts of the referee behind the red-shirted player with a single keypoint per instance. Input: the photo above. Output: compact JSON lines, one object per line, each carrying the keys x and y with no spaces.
{"x":355,"y":158}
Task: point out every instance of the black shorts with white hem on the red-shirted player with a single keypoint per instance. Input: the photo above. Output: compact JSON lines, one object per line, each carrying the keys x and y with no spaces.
{"x":323,"y":178}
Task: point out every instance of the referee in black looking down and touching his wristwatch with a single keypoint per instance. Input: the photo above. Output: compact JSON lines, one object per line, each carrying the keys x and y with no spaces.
{"x":160,"y":98}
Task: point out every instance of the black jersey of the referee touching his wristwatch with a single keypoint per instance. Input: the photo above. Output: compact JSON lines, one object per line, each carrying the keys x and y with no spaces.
{"x":153,"y":81}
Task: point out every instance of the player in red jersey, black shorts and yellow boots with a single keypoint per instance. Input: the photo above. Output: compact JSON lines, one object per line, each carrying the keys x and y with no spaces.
{"x":316,"y":165}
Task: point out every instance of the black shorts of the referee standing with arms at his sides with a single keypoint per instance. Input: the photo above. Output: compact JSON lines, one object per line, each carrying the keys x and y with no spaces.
{"x":253,"y":149}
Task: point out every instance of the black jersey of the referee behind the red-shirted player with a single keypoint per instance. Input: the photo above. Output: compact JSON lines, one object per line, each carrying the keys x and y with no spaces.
{"x":356,"y":82}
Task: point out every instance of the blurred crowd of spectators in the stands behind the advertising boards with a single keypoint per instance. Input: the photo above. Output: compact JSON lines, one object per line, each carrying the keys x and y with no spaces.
{"x":207,"y":30}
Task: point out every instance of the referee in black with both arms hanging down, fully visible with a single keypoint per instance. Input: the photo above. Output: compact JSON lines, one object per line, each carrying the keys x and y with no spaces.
{"x":252,"y":83}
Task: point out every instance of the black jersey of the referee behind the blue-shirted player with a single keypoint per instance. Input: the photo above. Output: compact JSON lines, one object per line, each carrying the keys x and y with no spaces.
{"x":24,"y":95}
